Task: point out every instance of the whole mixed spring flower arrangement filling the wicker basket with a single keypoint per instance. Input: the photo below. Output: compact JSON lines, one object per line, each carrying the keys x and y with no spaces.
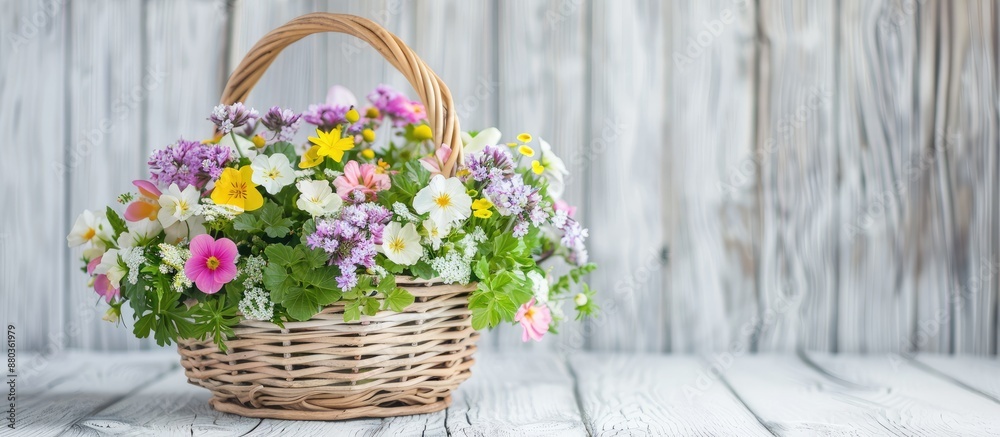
{"x":249,"y":225}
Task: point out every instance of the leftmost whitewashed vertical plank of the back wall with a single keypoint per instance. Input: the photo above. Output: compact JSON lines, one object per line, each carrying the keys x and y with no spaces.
{"x":33,"y":102}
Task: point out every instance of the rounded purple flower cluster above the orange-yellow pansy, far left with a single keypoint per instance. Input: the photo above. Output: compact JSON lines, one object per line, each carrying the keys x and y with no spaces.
{"x":188,"y":163}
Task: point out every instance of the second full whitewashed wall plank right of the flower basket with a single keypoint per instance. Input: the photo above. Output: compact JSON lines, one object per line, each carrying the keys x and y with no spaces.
{"x":711,"y":169}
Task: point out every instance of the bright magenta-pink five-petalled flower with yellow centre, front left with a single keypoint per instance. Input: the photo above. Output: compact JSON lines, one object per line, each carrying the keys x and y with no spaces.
{"x":212,"y":263}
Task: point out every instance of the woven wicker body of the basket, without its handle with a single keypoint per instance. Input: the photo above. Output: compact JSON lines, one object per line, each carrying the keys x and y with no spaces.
{"x":389,"y":364}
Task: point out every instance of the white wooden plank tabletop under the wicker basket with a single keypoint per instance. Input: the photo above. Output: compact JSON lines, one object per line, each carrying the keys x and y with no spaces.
{"x":78,"y":393}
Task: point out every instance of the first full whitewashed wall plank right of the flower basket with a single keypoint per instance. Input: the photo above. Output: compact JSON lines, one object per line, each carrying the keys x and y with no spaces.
{"x":624,"y":153}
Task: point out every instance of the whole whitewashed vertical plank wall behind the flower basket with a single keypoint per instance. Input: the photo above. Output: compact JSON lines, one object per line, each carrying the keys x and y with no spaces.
{"x":823,"y":176}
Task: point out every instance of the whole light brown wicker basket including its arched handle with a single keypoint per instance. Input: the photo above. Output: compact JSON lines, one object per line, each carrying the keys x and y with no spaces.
{"x":389,"y":364}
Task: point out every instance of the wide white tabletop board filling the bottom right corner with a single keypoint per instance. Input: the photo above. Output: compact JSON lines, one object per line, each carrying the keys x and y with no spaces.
{"x":851,"y":395}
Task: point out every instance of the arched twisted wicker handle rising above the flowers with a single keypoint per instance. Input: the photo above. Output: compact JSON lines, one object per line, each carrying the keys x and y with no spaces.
{"x":429,"y":87}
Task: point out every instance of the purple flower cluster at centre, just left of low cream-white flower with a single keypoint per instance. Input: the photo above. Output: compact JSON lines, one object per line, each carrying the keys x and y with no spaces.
{"x":351,"y":239}
